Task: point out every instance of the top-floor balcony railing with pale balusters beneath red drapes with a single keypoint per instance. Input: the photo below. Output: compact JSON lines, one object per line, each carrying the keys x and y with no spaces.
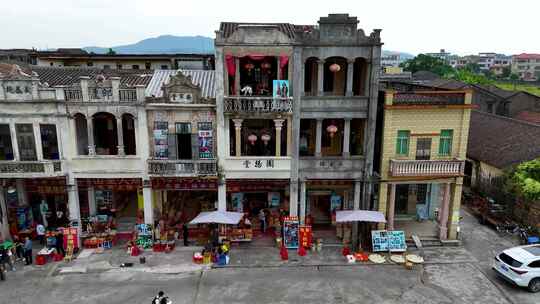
{"x":255,"y":104}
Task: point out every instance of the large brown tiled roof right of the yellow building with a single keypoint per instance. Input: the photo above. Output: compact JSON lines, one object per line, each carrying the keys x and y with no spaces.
{"x":500,"y":141}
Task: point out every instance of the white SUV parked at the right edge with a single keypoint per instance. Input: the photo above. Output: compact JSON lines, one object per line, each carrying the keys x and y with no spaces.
{"x":521,"y":266}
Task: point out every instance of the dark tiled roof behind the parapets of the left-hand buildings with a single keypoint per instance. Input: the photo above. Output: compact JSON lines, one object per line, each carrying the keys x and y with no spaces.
{"x":66,"y":76}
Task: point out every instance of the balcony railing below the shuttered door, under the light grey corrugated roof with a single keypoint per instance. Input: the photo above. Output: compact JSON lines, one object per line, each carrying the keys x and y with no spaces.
{"x":182,"y":167}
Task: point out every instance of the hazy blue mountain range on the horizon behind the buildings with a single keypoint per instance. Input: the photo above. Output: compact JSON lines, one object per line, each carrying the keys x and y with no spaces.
{"x":169,"y":44}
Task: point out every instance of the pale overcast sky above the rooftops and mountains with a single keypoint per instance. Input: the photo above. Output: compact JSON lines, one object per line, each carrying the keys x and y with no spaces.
{"x":414,"y":26}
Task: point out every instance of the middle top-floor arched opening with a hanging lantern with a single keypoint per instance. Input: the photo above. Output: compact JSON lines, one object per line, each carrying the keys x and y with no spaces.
{"x":335,"y":76}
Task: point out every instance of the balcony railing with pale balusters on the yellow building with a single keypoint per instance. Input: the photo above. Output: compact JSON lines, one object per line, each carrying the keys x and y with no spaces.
{"x":400,"y":168}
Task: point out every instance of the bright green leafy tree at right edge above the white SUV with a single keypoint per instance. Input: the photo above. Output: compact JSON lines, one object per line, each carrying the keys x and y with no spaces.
{"x":526,"y":179}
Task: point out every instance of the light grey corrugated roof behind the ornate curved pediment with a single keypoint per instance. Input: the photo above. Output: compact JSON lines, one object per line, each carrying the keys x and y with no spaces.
{"x":202,"y":78}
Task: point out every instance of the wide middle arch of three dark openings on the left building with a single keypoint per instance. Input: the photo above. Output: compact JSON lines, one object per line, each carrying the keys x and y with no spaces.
{"x":105,"y":134}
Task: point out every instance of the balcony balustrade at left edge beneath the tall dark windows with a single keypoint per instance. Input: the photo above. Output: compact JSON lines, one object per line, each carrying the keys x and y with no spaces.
{"x":31,"y":169}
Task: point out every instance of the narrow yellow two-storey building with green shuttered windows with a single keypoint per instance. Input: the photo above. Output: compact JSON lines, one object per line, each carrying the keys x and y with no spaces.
{"x":422,"y":161}
